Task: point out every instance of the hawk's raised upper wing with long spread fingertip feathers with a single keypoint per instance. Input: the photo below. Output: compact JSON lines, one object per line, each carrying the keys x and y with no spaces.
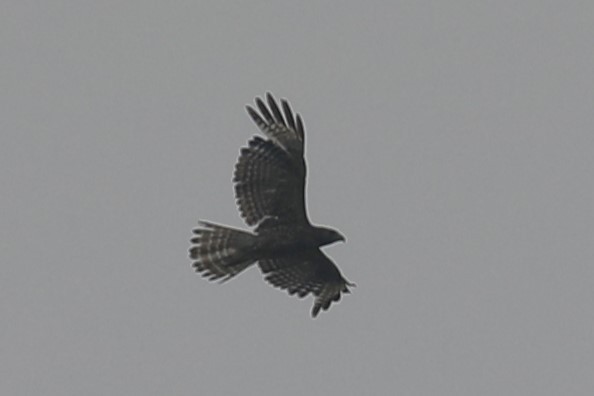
{"x":270,"y":174}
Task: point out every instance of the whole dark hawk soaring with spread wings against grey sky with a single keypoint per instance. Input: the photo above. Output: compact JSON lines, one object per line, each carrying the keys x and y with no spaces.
{"x":270,"y":192}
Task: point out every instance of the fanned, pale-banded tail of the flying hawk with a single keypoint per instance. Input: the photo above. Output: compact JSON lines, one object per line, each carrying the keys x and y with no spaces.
{"x":220,"y":252}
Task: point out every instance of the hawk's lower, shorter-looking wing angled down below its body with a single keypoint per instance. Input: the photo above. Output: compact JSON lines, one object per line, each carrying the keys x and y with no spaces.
{"x":308,"y":272}
